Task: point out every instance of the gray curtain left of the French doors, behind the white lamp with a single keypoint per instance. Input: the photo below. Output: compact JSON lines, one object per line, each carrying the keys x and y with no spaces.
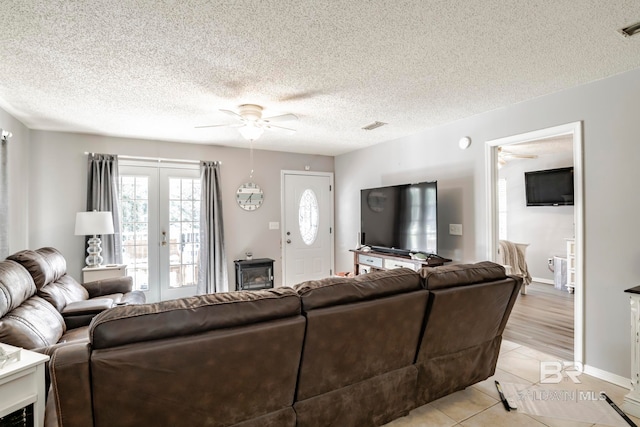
{"x":102,"y":196}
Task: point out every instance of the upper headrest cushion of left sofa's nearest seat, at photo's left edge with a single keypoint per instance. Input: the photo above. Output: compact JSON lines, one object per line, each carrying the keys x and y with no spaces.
{"x":16,"y":286}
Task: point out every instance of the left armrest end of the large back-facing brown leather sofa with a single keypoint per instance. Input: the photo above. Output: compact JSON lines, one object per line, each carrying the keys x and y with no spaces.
{"x":71,"y":385}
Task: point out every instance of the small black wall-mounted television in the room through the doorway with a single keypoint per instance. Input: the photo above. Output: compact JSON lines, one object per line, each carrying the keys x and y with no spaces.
{"x":551,"y":187}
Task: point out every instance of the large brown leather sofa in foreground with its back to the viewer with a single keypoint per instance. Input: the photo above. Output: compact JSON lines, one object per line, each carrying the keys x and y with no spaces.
{"x":333,"y":352}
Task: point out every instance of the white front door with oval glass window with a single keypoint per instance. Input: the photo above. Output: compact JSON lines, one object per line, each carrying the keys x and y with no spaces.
{"x":307,"y":232}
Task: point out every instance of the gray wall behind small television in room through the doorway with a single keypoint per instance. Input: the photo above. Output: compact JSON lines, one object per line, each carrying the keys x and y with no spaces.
{"x":544,"y":228}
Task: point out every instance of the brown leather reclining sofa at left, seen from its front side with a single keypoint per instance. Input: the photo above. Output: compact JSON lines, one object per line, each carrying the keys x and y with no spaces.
{"x":41,"y":305}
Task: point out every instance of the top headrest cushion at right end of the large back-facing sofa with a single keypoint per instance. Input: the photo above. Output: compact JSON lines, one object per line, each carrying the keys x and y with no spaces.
{"x":461,"y":274}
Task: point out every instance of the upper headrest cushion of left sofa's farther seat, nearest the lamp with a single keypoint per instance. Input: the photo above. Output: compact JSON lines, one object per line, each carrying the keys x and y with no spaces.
{"x":45,"y":265}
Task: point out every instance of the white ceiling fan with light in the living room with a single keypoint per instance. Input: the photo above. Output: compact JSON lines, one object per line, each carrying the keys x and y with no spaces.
{"x":251,"y":125}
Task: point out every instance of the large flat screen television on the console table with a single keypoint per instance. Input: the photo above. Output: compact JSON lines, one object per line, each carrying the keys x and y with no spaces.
{"x":400,"y":218}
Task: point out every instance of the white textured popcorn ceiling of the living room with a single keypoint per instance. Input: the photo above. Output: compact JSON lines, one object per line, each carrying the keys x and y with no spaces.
{"x":156,"y":69}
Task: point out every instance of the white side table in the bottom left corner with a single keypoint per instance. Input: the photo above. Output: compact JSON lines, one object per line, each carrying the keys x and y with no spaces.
{"x":22,"y":384}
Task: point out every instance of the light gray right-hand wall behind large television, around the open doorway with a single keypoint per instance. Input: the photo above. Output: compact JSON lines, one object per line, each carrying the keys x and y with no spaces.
{"x":609,"y":111}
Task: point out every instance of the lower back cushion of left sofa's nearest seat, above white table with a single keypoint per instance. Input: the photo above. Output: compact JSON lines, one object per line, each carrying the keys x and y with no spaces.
{"x":35,"y":323}
